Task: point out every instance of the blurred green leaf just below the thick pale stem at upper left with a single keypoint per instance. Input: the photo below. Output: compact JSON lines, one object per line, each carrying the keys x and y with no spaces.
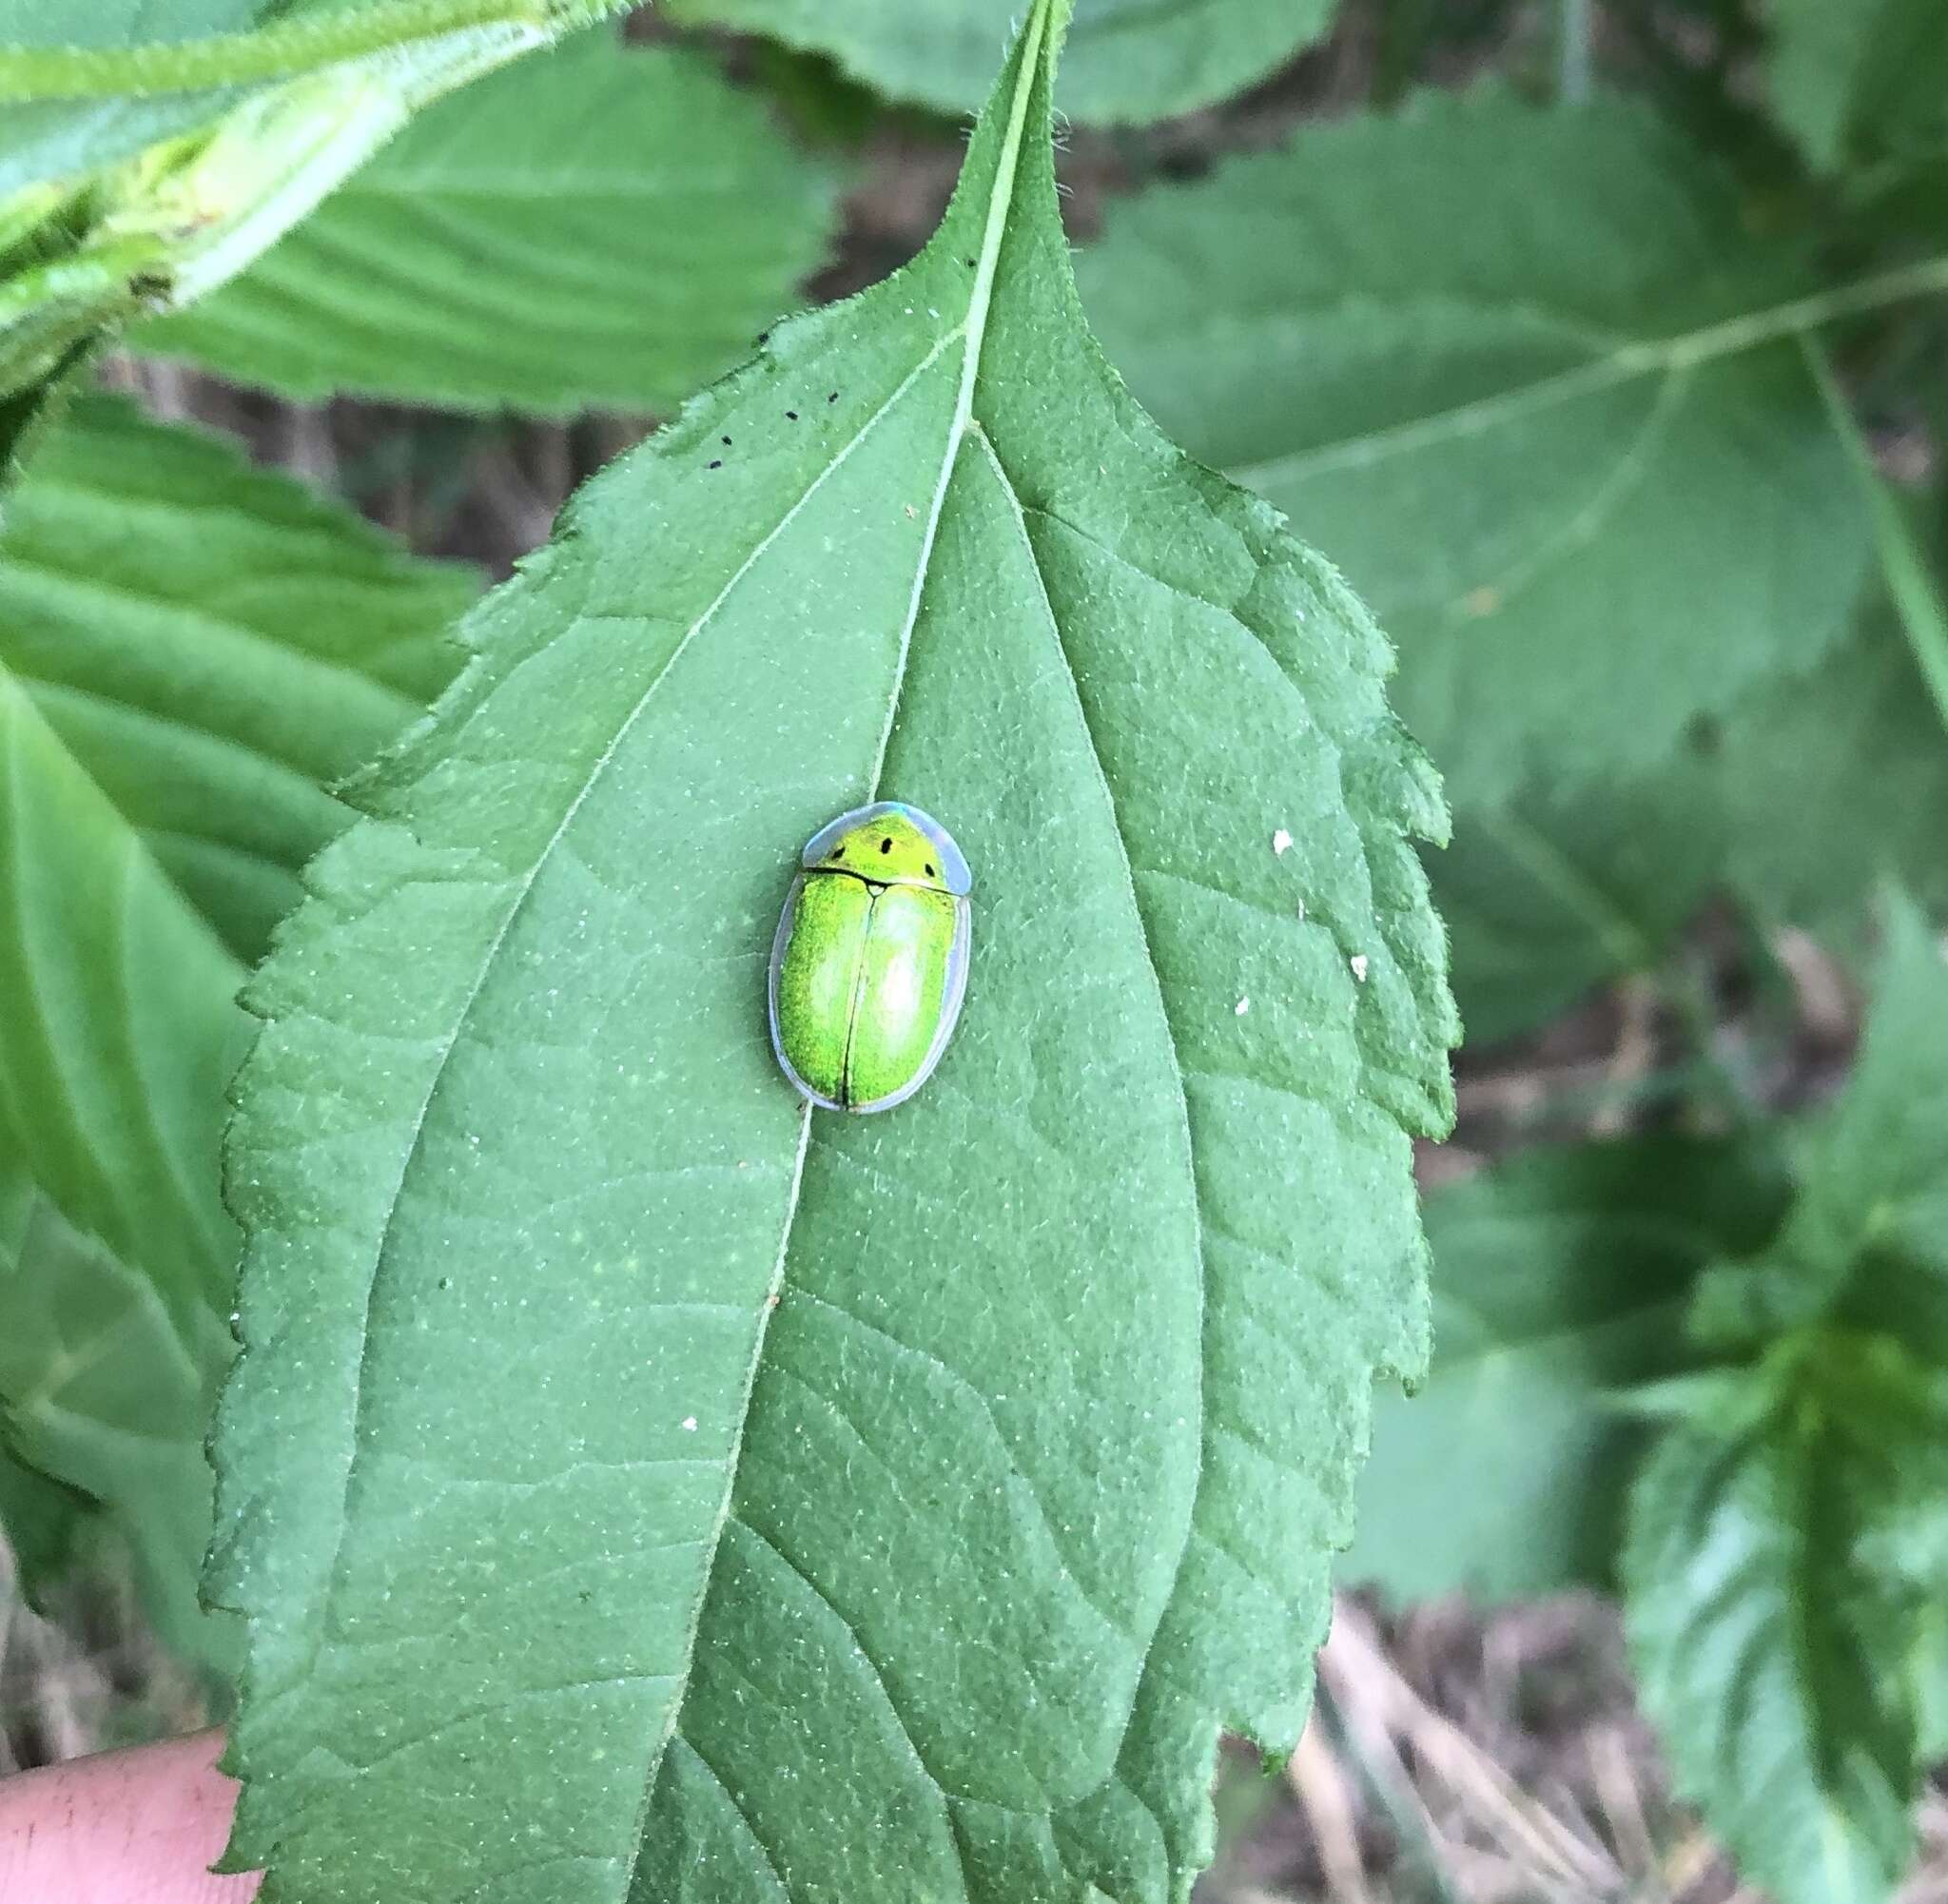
{"x":597,"y":227}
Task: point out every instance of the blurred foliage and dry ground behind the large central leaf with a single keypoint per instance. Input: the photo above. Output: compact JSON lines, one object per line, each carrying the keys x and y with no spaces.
{"x":1600,"y":344}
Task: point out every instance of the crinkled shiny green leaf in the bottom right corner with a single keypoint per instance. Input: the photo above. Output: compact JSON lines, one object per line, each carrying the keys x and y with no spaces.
{"x":1778,"y":1660}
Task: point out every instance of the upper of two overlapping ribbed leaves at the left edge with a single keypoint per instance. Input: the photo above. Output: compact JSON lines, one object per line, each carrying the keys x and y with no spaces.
{"x":215,"y":645}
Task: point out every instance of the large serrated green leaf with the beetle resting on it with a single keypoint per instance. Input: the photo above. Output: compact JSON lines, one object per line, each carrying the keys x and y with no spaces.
{"x":638,"y":1479}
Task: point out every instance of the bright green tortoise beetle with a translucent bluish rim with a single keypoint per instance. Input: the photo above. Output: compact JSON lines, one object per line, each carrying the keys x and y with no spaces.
{"x":872,"y":959}
